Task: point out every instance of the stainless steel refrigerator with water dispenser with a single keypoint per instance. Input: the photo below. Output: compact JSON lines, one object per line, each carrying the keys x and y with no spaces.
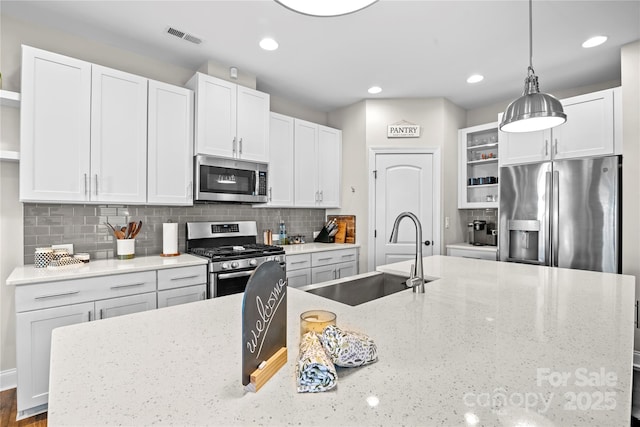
{"x":565,"y":213}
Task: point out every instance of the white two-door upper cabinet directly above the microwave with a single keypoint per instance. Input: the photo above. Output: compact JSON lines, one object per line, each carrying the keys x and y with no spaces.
{"x":231,"y":120}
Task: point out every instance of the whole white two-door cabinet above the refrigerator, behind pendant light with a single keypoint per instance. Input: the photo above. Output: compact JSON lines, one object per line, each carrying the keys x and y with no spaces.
{"x":592,"y":129}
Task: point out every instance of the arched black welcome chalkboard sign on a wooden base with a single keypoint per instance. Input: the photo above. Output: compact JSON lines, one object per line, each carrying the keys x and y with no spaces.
{"x":264,"y":324}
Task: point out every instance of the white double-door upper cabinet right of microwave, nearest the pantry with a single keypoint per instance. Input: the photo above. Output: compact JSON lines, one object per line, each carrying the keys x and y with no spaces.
{"x":318,"y":165}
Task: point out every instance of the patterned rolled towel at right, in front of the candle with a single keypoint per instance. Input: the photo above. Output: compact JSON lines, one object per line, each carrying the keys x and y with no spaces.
{"x":348,"y":349}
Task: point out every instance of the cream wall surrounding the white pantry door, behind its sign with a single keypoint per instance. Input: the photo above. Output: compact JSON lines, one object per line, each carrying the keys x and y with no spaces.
{"x":364,"y":126}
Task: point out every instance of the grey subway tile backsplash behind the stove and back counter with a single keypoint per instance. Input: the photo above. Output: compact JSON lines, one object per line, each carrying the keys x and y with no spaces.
{"x":84,"y":225}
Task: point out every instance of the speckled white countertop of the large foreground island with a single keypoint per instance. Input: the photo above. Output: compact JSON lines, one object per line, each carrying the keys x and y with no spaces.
{"x":485,"y":345}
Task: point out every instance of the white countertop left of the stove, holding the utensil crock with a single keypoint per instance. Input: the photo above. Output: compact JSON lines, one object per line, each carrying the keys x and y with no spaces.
{"x":28,"y":274}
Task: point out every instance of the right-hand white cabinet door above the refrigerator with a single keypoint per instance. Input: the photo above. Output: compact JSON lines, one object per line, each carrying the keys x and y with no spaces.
{"x":589,"y":129}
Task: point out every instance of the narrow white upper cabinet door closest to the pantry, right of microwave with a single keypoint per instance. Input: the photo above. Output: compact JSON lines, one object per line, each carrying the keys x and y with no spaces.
{"x":329,"y":166}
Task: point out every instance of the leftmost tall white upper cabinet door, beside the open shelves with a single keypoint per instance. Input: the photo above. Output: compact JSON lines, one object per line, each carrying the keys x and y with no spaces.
{"x":54,"y":127}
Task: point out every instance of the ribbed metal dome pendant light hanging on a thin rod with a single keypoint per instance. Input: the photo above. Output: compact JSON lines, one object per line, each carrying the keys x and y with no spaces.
{"x":533,"y":111}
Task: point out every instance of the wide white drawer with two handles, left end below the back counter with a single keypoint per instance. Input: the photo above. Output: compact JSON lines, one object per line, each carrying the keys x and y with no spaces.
{"x":66,"y":292}
